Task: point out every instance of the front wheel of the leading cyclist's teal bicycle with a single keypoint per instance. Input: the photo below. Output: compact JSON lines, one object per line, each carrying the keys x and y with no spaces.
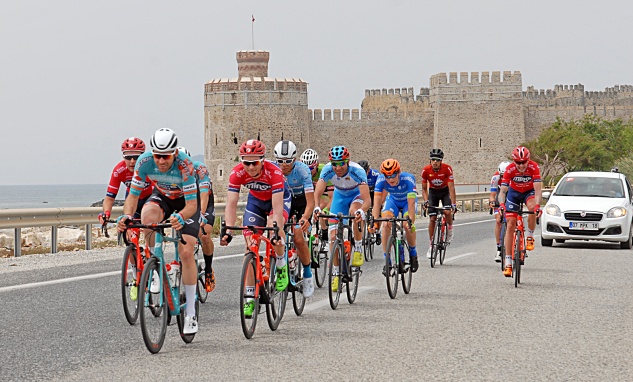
{"x":153,"y":313}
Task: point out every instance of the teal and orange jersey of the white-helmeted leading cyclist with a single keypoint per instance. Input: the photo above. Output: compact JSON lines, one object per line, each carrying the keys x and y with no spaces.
{"x":177,"y":182}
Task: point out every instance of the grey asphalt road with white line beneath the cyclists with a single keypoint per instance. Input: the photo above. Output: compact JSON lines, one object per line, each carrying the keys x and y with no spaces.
{"x":571,"y":319}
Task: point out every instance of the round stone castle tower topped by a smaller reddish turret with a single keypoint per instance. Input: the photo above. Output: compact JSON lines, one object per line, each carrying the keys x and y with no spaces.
{"x":251,"y":106}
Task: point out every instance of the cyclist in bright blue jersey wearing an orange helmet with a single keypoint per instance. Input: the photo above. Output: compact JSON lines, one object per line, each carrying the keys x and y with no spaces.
{"x":398,"y":191}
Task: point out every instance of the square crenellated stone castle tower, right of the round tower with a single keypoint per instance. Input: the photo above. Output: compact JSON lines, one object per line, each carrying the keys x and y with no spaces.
{"x":478,"y":121}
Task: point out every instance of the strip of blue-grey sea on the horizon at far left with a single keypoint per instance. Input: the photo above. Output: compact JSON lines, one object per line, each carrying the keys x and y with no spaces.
{"x":52,"y":196}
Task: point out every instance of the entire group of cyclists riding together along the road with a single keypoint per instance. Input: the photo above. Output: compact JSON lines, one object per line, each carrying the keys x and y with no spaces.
{"x":165,"y":184}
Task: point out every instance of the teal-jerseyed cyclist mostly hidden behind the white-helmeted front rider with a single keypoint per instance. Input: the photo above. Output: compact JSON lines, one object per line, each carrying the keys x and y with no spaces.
{"x":207,"y":218}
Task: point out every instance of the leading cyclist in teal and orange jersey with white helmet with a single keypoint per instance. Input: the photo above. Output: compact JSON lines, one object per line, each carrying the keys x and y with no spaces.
{"x":174,"y":198}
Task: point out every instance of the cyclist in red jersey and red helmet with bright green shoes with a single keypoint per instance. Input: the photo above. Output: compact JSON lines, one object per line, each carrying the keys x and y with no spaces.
{"x":268,"y":195}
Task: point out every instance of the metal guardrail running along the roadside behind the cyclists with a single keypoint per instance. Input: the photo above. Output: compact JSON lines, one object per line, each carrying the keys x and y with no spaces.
{"x":17,"y":219}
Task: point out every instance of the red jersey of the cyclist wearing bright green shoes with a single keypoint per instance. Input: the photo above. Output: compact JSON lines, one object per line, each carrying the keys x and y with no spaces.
{"x":269,"y":182}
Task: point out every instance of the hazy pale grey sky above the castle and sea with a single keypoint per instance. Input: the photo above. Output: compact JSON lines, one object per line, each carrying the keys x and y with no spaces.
{"x":78,"y":77}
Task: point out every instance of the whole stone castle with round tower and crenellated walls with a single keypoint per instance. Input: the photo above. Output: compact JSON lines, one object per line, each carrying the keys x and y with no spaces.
{"x":476,"y":118}
